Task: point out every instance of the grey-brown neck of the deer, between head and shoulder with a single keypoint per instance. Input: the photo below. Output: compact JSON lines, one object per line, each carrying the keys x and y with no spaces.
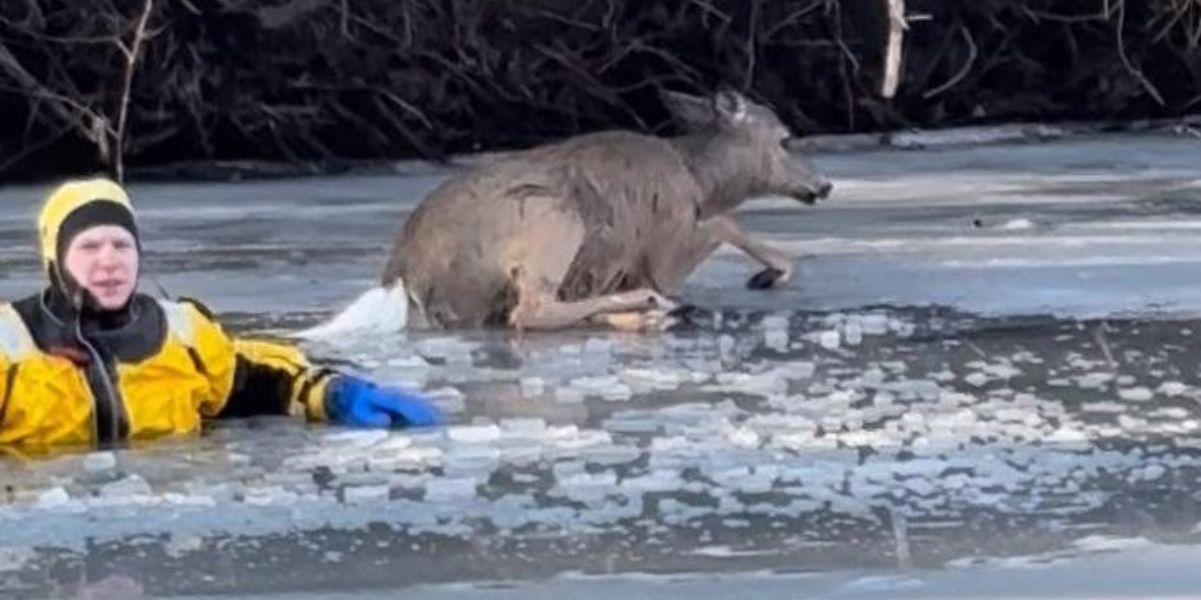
{"x":720,"y":172}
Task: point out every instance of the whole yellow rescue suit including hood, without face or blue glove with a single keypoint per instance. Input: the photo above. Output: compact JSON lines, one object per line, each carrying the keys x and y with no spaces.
{"x":73,"y":377}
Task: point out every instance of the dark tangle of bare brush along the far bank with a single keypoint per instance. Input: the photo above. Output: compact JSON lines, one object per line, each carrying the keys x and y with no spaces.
{"x":86,"y":82}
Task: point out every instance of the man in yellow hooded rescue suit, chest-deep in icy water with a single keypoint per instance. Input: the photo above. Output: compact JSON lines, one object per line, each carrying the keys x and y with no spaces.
{"x":91,"y":361}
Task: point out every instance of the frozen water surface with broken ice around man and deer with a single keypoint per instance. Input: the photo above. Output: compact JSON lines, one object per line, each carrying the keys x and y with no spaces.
{"x":983,"y":383}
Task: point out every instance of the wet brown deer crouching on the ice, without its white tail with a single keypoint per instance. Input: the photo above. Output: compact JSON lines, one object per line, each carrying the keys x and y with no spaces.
{"x":600,"y":227}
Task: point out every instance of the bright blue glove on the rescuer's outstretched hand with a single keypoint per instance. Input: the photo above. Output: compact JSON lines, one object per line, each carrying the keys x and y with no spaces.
{"x":360,"y":403}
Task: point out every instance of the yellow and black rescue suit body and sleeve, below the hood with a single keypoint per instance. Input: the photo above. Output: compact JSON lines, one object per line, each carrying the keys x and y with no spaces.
{"x":192,"y":371}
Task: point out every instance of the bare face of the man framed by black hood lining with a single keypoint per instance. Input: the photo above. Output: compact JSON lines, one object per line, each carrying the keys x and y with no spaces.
{"x":104,"y":260}
